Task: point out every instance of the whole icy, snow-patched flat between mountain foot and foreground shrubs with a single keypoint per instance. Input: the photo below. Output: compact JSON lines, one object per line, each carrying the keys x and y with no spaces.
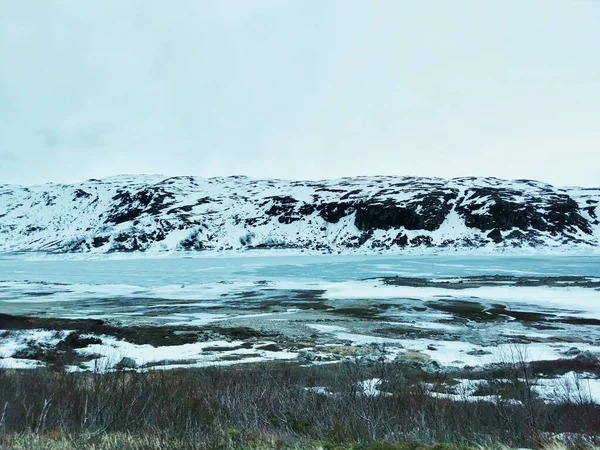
{"x":439,"y":313}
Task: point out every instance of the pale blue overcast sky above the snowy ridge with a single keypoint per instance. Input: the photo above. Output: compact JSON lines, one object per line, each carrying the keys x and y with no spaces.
{"x":302,"y":89}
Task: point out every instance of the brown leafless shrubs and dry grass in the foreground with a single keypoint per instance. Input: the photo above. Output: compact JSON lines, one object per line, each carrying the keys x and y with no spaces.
{"x":276,"y":406}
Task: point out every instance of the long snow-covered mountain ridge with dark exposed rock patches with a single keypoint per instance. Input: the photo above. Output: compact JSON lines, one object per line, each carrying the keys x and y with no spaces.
{"x":155,"y":213}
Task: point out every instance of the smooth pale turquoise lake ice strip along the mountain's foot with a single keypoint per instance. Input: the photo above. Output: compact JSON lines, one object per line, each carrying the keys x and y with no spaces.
{"x":155,"y":272}
